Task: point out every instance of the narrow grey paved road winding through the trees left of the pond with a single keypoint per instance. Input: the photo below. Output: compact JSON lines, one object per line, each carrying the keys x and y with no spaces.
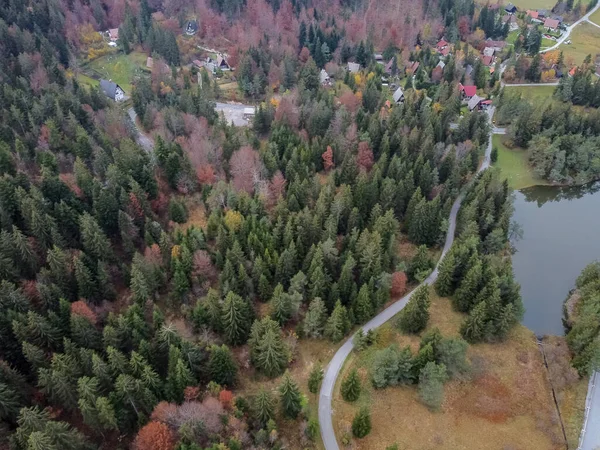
{"x":336,"y":363}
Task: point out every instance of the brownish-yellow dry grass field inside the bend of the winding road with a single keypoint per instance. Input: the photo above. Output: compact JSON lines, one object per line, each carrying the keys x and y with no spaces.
{"x":507,"y":402}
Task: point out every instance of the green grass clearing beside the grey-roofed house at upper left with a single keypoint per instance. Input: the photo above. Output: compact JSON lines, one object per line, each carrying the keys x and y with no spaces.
{"x":119,"y":68}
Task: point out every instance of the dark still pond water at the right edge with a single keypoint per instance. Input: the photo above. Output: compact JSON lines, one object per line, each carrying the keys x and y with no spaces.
{"x":561,"y":235}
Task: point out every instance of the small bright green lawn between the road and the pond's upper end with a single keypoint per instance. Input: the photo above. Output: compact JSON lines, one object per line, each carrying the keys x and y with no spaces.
{"x":515,"y":166}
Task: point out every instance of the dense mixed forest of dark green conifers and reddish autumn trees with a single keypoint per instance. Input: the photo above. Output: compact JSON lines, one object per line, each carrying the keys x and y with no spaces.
{"x":140,"y":287}
